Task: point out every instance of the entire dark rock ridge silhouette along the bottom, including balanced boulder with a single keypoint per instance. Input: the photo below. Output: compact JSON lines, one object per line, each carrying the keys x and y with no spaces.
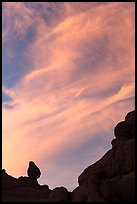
{"x":111,"y":179}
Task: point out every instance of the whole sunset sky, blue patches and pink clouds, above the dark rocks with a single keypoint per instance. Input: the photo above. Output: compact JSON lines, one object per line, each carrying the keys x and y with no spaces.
{"x":68,"y":76}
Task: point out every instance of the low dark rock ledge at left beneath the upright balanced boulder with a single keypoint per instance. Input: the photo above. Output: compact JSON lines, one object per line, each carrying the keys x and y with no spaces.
{"x":23,"y":189}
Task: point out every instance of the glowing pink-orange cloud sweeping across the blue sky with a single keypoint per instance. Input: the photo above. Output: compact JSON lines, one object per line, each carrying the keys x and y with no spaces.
{"x":59,"y":105}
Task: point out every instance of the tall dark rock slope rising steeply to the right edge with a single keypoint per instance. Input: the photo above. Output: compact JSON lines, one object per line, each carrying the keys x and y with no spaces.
{"x":112,"y":177}
